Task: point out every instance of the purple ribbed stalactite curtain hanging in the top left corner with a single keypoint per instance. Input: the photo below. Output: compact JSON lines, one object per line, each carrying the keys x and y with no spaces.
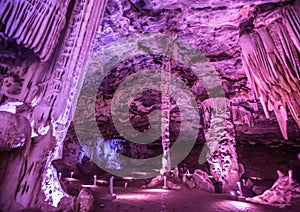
{"x":34,"y":24}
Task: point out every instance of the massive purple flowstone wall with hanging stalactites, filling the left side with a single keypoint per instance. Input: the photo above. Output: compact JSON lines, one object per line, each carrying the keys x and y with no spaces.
{"x":44,"y":46}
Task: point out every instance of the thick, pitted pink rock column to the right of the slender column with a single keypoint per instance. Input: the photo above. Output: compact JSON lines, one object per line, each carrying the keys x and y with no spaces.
{"x":220,"y":138}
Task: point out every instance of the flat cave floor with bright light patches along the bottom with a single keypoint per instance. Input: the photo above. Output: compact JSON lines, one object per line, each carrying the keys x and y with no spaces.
{"x":161,"y":200}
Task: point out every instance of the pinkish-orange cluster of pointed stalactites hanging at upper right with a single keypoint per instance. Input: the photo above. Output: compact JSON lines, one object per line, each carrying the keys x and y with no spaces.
{"x":270,"y":42}
